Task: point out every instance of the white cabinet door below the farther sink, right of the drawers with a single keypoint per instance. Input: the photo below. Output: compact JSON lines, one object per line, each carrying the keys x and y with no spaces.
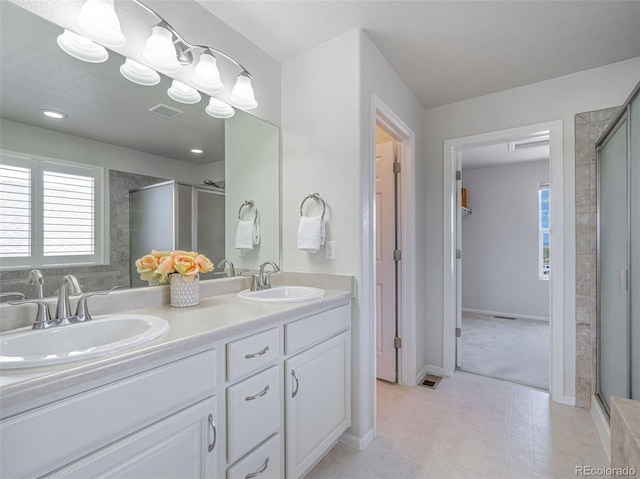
{"x":318,"y":402}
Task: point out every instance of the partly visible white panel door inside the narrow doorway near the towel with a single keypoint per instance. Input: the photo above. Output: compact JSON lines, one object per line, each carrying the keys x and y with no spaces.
{"x":385,"y":264}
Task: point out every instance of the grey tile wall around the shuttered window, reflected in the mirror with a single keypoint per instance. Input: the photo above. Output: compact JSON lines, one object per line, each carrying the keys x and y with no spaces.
{"x":94,"y":278}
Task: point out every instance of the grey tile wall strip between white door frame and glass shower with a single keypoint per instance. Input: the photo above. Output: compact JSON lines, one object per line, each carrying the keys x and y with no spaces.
{"x":589,"y":127}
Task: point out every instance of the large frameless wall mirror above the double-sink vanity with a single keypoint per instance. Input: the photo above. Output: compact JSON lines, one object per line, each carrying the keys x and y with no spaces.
{"x":141,"y":138}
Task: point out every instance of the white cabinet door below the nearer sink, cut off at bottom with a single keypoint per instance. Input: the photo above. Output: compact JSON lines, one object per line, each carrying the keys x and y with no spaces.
{"x":180,"y":446}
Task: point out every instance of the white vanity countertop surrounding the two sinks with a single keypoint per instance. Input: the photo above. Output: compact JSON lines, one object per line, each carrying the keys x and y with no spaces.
{"x":215,"y":318}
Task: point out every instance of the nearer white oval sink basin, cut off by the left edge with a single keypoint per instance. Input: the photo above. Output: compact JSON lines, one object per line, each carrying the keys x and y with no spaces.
{"x":102,"y":335}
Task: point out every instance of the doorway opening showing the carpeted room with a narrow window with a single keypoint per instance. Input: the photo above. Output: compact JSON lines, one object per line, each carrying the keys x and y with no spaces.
{"x":503,"y":270}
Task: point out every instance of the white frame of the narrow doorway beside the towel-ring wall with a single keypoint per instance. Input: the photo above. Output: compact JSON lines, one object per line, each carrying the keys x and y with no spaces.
{"x":383,"y":115}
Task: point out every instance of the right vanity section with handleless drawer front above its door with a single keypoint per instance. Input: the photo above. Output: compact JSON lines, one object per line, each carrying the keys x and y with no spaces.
{"x":317,"y":387}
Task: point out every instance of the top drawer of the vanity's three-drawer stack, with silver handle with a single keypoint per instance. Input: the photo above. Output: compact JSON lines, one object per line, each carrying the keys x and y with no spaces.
{"x":251,"y":354}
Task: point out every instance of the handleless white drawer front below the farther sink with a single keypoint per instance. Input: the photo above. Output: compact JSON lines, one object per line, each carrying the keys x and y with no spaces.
{"x":306,"y":332}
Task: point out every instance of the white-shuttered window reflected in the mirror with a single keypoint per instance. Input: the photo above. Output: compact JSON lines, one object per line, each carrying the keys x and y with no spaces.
{"x":50,"y":213}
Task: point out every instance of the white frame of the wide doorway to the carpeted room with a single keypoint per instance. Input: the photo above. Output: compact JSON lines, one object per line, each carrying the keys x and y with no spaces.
{"x":556,"y":318}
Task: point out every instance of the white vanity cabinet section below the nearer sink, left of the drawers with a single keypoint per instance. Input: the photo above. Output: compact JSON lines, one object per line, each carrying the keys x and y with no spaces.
{"x":126,"y":428}
